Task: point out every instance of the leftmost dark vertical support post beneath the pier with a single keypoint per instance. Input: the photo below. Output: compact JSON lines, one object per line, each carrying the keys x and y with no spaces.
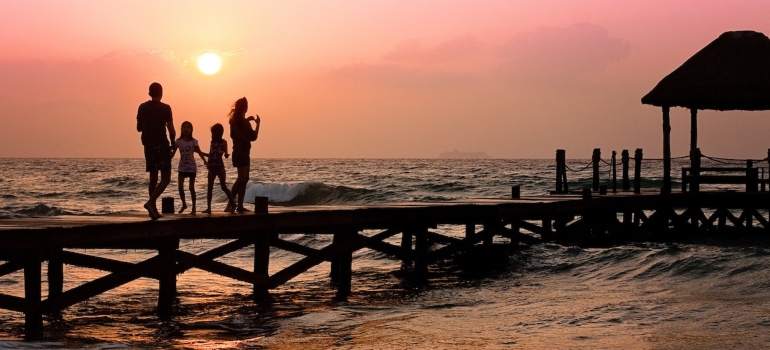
{"x":33,"y":316}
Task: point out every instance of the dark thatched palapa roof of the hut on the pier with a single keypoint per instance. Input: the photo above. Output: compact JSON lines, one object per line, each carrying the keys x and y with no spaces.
{"x":730,"y":73}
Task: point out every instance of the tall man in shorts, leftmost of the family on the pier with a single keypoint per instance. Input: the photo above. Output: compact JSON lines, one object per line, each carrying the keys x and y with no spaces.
{"x":152,"y":120}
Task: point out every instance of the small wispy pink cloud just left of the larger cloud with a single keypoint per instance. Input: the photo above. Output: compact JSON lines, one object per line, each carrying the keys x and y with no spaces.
{"x":413,"y":51}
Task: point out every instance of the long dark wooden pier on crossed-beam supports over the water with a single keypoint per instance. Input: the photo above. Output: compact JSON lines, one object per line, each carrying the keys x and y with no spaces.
{"x":588,"y":218}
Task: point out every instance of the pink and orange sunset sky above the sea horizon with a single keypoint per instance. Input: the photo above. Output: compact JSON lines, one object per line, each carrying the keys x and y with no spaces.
{"x":367,"y":79}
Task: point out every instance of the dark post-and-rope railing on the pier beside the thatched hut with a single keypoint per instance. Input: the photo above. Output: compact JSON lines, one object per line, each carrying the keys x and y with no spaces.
{"x":604,"y":173}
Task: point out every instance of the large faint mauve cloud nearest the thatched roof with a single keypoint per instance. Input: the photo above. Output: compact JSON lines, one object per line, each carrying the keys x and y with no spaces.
{"x":568,"y":52}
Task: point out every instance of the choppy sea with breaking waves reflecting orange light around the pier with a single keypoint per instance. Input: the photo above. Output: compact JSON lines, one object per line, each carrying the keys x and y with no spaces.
{"x":642,"y":295}
